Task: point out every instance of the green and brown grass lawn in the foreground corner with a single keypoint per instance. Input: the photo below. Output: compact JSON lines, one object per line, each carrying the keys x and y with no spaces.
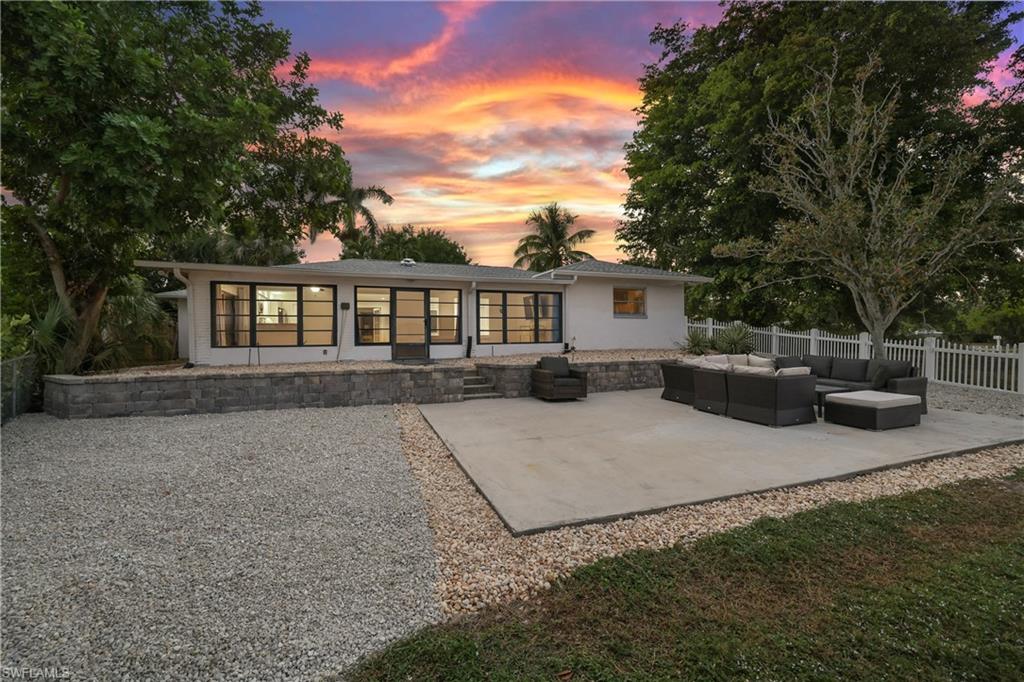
{"x":927,"y":586}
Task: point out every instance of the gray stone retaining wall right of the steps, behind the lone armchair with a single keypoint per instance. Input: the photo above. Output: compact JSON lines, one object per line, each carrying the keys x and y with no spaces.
{"x":515,"y":380}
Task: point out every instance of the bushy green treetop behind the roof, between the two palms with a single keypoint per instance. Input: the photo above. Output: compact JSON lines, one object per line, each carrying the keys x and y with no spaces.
{"x":425,"y":245}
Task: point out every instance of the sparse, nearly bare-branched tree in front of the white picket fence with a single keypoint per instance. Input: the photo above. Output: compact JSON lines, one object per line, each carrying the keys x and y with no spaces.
{"x":875,"y":214}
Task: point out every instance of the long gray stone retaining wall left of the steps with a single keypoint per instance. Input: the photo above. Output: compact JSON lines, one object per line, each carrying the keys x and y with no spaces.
{"x":75,"y":398}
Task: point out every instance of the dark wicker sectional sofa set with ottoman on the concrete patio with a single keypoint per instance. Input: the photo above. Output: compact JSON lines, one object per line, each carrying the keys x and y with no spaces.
{"x":875,"y":395}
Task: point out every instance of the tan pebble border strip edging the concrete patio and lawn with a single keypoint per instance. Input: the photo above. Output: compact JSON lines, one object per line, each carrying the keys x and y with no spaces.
{"x":481,"y":564}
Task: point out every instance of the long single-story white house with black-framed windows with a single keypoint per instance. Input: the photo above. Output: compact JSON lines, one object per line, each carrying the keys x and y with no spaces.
{"x":376,"y":310}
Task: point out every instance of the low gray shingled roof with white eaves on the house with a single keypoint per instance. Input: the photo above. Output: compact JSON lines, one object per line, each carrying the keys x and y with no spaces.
{"x":396,"y":270}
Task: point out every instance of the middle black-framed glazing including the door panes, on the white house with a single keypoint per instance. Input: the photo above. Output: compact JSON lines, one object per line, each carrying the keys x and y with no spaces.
{"x":382,"y":313}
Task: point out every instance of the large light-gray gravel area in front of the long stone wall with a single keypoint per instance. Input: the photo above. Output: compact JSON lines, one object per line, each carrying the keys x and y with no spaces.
{"x":262,"y":545}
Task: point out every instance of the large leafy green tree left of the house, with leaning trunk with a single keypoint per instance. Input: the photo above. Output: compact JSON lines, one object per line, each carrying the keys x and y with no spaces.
{"x":129,"y":127}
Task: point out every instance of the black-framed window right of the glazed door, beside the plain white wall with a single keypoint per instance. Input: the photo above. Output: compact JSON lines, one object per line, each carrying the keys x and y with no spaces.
{"x":520,"y":318}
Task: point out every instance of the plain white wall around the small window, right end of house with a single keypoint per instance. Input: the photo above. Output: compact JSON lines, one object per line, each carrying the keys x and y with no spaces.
{"x":592,"y":321}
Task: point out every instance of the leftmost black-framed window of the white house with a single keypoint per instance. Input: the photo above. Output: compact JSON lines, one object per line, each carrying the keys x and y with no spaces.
{"x":257,"y":315}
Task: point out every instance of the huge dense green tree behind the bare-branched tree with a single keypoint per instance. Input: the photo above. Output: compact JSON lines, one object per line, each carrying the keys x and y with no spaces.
{"x":706,"y":108}
